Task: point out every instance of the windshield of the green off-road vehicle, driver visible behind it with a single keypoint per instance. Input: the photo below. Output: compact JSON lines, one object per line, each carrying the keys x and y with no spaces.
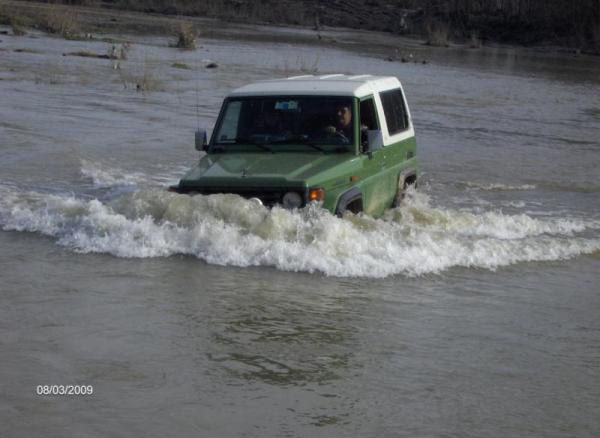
{"x":271,"y":123}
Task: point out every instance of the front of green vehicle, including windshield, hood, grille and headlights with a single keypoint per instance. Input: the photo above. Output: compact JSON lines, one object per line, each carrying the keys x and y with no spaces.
{"x":272,"y":148}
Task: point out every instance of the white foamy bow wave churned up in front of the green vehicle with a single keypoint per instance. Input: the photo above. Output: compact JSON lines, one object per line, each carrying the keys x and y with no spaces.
{"x":415,"y":239}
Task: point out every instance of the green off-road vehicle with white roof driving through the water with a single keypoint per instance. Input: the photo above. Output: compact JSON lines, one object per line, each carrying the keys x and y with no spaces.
{"x":346,"y":142}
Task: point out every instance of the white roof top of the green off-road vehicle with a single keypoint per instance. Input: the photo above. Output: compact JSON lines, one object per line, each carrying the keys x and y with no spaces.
{"x":331,"y":85}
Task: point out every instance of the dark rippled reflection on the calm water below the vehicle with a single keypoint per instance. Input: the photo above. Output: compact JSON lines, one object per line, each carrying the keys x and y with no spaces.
{"x":304,"y":347}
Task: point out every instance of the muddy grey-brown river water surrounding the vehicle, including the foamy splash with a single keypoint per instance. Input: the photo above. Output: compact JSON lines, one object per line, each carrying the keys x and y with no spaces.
{"x":470,"y":311}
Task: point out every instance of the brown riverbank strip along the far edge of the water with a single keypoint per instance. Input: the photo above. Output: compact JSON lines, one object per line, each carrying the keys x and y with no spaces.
{"x":395,"y":31}
